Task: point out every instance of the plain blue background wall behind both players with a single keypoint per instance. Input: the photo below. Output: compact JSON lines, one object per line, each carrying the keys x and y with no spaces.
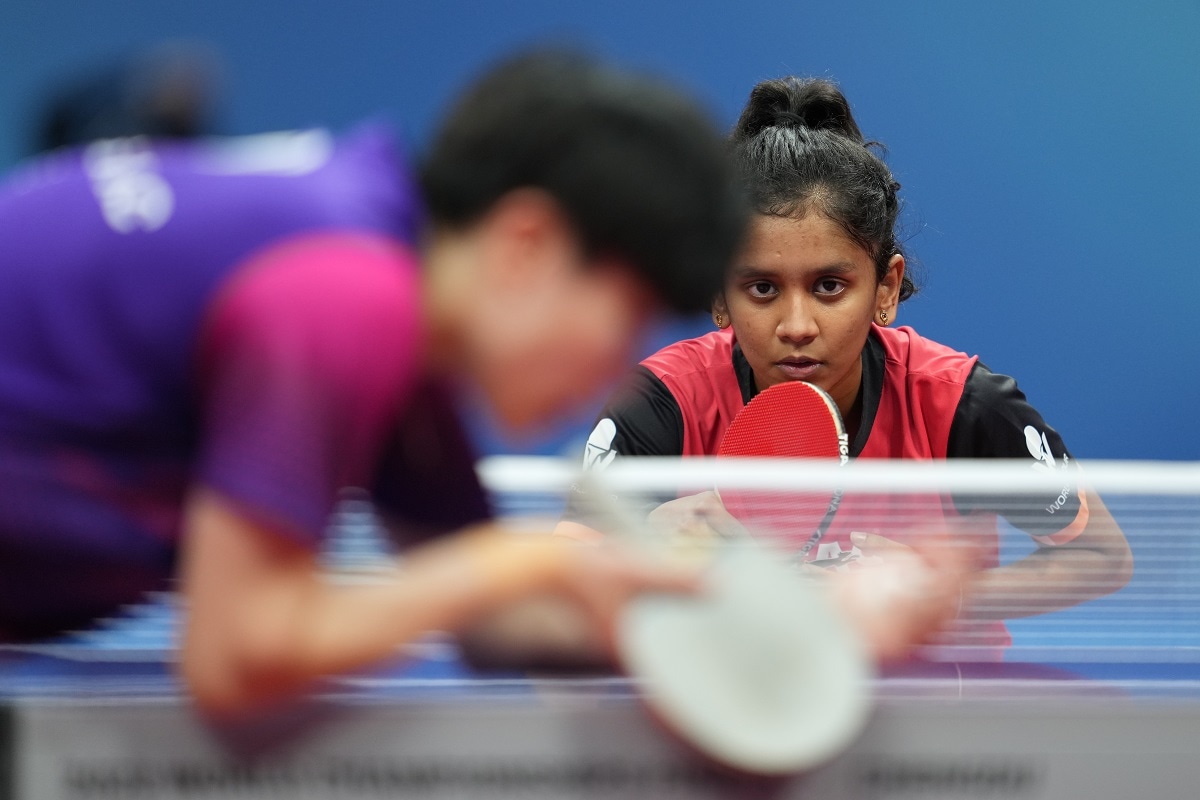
{"x":1048,"y":154}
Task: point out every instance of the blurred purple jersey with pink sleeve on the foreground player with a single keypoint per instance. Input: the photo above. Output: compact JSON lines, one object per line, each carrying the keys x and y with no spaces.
{"x":239,"y":314}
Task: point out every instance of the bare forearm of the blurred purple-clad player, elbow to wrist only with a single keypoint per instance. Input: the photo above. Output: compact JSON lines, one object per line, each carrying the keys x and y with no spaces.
{"x":263,"y":623}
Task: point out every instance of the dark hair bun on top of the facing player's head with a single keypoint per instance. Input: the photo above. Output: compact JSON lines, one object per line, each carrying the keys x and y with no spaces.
{"x":794,"y":103}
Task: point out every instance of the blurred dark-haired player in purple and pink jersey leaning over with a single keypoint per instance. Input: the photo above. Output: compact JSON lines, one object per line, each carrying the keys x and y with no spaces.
{"x":202,"y":344}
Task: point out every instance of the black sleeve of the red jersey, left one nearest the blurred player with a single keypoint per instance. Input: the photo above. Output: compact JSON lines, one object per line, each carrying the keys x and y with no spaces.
{"x":641,"y":419}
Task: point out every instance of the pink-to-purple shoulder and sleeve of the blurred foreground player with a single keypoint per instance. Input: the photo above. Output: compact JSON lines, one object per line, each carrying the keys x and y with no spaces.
{"x":307,"y":359}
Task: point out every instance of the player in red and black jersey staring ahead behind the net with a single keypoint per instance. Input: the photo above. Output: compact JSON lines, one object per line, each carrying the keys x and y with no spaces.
{"x":814,"y":297}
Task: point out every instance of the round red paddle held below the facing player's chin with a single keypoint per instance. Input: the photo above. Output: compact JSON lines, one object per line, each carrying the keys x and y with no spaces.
{"x":791,"y":420}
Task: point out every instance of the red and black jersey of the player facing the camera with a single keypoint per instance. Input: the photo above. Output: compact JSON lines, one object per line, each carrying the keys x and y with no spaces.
{"x":920,"y":401}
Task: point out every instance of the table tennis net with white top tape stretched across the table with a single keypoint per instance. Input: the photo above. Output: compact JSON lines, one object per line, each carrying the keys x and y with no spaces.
{"x":991,"y":507}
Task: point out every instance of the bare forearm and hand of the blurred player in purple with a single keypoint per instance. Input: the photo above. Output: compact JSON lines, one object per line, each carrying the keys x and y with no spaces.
{"x":263,"y":623}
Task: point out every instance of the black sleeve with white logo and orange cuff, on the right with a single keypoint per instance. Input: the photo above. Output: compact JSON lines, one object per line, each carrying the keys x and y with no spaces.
{"x":994,"y":420}
